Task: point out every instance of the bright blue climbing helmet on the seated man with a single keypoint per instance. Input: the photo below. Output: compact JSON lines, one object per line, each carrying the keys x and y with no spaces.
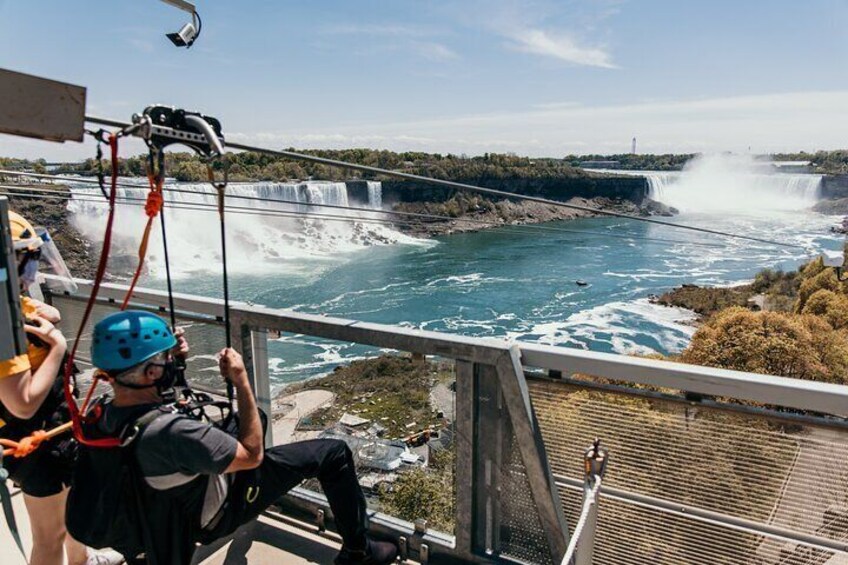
{"x":125,"y":339}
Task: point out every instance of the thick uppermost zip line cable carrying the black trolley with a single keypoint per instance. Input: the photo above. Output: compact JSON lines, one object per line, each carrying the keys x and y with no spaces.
{"x":461,"y":186}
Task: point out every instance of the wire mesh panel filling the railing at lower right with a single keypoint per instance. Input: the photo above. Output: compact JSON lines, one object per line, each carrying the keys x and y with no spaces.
{"x":737,"y":468}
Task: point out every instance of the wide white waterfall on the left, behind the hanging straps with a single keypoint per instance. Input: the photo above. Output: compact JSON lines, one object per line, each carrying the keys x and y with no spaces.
{"x":260,"y":239}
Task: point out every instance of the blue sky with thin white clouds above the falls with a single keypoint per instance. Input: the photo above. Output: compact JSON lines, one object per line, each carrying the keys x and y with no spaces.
{"x":539,"y":78}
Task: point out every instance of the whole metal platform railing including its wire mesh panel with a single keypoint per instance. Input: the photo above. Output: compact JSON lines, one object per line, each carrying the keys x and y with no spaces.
{"x":708,"y":465}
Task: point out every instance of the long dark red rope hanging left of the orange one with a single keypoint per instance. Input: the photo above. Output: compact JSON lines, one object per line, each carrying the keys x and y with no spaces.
{"x":77,"y":413}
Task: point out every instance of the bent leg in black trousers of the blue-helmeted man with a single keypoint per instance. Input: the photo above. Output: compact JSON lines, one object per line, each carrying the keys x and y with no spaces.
{"x":286,"y":466}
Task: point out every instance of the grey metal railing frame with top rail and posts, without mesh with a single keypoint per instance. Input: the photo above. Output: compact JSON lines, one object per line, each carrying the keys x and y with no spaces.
{"x":490,"y":368}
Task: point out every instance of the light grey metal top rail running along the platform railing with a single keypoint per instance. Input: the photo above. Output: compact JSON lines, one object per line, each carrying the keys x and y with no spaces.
{"x":825,"y":398}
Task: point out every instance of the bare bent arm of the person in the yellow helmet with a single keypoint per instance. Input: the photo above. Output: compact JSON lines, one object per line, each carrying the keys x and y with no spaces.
{"x":23,"y":393}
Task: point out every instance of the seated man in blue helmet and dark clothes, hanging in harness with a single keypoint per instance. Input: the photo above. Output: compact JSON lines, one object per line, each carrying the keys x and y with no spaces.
{"x":201,"y":482}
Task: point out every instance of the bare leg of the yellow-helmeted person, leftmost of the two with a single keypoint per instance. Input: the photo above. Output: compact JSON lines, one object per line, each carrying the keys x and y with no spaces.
{"x":47,"y":519}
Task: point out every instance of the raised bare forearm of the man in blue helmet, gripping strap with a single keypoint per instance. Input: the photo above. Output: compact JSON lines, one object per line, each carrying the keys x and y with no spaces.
{"x":251,"y":444}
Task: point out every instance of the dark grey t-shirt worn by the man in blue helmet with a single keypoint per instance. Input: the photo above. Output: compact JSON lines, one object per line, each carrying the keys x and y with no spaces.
{"x":174,"y":450}
